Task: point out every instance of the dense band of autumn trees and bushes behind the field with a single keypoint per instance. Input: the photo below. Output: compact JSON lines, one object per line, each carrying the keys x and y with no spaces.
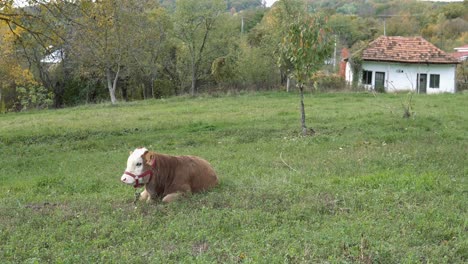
{"x":123,"y":50}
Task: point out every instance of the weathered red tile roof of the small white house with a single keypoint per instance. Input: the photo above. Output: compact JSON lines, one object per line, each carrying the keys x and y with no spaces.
{"x":405,"y":49}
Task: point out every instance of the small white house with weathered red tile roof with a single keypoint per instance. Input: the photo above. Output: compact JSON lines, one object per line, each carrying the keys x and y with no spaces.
{"x":395,"y":64}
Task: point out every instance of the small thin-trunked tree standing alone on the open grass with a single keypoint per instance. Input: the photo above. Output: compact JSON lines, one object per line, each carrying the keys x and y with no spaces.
{"x":307,"y":44}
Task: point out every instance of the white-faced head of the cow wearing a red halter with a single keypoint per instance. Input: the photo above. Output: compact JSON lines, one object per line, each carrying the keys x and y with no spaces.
{"x":139,"y":171}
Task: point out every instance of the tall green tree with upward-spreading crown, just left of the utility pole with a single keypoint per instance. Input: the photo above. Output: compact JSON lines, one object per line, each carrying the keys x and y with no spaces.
{"x":194,"y":22}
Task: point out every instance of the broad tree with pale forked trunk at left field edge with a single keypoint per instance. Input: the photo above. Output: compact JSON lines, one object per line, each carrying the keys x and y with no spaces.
{"x":106,"y":37}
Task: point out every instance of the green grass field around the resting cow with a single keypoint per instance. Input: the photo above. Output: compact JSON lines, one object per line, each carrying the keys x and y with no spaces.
{"x":368,"y":187}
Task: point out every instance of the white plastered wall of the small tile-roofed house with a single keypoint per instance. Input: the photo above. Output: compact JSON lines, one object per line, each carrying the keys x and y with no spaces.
{"x":404,"y":76}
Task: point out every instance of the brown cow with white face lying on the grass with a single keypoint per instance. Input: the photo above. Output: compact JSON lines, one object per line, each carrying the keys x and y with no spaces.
{"x":167,"y":177}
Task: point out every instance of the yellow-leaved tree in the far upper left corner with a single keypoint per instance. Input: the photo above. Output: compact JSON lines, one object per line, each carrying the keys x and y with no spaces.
{"x":42,"y":25}
